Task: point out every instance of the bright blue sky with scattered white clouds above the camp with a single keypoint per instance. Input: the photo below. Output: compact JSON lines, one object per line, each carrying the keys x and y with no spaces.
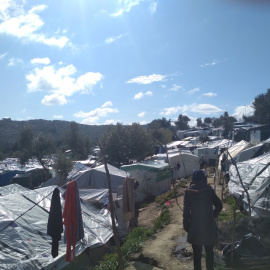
{"x":102,"y":62}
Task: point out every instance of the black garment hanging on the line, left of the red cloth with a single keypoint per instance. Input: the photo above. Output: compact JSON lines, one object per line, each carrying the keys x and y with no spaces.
{"x":55,"y":224}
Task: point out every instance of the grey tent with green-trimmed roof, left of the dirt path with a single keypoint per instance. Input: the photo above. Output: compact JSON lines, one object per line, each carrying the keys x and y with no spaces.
{"x":154,"y":178}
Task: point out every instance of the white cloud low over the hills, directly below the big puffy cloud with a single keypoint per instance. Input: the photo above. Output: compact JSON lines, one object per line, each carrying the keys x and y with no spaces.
{"x":93,"y":116}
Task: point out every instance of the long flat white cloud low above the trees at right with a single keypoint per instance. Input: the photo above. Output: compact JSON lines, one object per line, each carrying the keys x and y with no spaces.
{"x":197,"y":108}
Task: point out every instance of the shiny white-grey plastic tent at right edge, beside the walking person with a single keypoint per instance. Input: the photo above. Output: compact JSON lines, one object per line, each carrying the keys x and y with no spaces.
{"x":255,"y":175}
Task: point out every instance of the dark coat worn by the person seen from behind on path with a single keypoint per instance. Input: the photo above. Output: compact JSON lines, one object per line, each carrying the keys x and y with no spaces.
{"x":199,"y":215}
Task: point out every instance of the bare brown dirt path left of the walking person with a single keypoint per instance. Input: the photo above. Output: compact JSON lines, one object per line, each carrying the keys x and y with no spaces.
{"x":162,"y":251}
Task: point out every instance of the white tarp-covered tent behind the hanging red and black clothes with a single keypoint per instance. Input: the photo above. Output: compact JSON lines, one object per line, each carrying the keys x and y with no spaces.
{"x":24,"y":243}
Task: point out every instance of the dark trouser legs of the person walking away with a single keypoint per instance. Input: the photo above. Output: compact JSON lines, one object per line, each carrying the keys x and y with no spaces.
{"x":197,"y":257}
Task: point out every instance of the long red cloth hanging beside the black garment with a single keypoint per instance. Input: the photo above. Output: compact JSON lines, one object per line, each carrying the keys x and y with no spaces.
{"x":70,"y":221}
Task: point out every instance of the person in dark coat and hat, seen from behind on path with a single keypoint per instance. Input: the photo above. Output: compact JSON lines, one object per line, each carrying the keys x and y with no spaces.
{"x":201,"y":207}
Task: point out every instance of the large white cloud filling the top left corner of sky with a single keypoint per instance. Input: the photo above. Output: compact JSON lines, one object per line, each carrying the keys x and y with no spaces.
{"x":26,"y":25}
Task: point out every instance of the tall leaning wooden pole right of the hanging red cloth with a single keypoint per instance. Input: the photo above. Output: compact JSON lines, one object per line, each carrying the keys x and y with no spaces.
{"x":115,"y":232}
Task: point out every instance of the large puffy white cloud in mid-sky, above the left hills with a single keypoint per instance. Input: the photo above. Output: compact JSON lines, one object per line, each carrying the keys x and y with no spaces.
{"x":60,"y":83}
